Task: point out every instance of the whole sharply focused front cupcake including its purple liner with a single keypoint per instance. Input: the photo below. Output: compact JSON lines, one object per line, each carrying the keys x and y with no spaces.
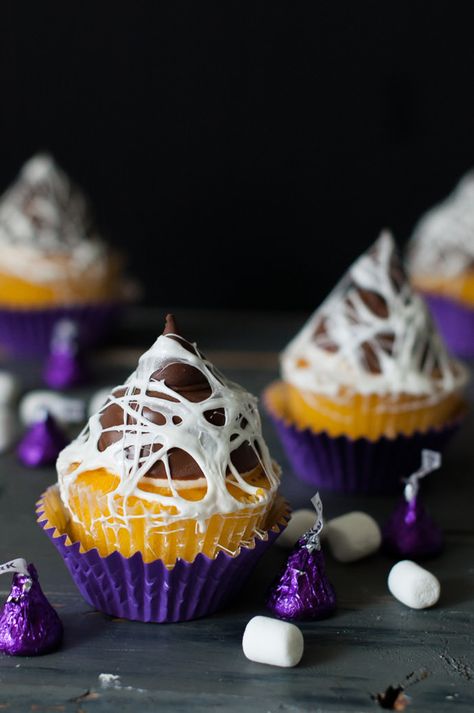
{"x":171,"y":478}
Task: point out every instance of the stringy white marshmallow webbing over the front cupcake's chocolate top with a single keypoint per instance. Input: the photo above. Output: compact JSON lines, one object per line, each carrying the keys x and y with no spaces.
{"x":183,"y":425}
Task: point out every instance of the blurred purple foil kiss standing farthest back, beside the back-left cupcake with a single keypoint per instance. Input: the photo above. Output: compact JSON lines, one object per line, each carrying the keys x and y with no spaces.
{"x":64,"y":366}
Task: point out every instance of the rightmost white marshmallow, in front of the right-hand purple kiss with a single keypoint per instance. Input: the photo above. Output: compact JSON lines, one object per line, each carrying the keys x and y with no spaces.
{"x":413,"y":586}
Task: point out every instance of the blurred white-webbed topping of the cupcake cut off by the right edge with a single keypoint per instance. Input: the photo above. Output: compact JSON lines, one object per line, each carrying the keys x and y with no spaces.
{"x":442,"y":244}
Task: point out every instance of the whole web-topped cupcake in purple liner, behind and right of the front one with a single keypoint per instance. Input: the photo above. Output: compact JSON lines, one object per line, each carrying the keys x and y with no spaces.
{"x":366,"y":381}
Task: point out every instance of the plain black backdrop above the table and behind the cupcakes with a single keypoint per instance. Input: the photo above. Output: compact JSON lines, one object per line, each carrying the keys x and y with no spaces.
{"x":242,"y":153}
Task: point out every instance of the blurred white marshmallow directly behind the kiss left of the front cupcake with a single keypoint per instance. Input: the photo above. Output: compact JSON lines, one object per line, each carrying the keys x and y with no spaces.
{"x":63,"y":409}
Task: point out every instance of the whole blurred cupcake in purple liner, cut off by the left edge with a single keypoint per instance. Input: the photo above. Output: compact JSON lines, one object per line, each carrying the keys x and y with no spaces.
{"x":52,"y":262}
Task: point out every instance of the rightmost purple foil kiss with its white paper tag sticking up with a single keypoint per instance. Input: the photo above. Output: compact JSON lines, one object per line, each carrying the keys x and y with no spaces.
{"x":410,"y":532}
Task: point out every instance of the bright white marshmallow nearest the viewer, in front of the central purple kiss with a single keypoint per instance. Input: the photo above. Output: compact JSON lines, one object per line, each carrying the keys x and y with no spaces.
{"x":272,"y":641}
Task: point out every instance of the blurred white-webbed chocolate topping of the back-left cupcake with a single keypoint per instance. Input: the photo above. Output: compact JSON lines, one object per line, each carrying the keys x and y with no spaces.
{"x":43,"y":215}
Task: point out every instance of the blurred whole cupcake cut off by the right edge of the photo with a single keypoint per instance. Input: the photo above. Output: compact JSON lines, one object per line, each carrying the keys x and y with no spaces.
{"x":441,"y":263}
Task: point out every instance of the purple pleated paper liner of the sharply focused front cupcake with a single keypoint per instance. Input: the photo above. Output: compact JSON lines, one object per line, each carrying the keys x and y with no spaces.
{"x":132,"y":589}
